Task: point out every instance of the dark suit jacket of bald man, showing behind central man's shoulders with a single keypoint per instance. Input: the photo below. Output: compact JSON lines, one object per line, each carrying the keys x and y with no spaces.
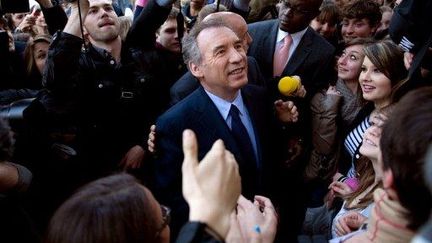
{"x":188,"y":83}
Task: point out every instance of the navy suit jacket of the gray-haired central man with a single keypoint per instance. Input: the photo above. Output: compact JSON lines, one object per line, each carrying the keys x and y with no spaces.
{"x":198,"y":112}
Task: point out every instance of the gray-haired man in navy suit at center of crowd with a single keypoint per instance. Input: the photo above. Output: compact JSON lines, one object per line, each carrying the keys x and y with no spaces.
{"x":221,"y":108}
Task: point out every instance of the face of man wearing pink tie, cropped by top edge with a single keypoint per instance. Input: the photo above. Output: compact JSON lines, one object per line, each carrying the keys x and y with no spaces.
{"x":295,"y":15}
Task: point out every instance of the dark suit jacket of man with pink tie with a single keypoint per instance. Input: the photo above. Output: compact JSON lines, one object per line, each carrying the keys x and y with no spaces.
{"x":313,"y":59}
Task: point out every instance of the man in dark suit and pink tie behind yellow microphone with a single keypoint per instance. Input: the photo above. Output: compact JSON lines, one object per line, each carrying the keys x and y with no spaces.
{"x":310,"y":56}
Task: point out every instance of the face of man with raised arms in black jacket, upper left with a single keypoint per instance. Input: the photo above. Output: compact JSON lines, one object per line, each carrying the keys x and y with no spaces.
{"x":101,"y":22}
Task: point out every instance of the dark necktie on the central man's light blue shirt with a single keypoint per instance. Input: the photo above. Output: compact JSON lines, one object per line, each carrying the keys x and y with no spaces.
{"x":241,"y":135}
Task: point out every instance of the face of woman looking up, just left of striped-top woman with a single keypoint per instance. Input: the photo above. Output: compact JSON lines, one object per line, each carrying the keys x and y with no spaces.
{"x":350,"y":62}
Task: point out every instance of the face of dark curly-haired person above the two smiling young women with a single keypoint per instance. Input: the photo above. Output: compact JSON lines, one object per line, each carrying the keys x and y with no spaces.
{"x":353,"y":28}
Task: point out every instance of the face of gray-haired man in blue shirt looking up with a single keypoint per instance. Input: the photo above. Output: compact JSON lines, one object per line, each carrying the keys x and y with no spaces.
{"x":223,"y":69}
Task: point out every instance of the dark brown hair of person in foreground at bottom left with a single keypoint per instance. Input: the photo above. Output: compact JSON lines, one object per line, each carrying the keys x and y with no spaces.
{"x":109,"y":210}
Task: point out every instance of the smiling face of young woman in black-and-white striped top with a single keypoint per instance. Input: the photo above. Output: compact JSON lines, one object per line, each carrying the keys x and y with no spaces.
{"x":376,"y":87}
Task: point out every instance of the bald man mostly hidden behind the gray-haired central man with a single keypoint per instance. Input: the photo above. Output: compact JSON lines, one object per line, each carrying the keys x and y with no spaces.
{"x":188,"y":83}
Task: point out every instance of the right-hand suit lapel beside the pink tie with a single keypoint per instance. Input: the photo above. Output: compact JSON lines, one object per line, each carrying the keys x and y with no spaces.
{"x":301,"y":53}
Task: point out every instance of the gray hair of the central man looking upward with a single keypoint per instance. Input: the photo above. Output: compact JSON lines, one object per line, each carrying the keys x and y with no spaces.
{"x":191,"y":52}
